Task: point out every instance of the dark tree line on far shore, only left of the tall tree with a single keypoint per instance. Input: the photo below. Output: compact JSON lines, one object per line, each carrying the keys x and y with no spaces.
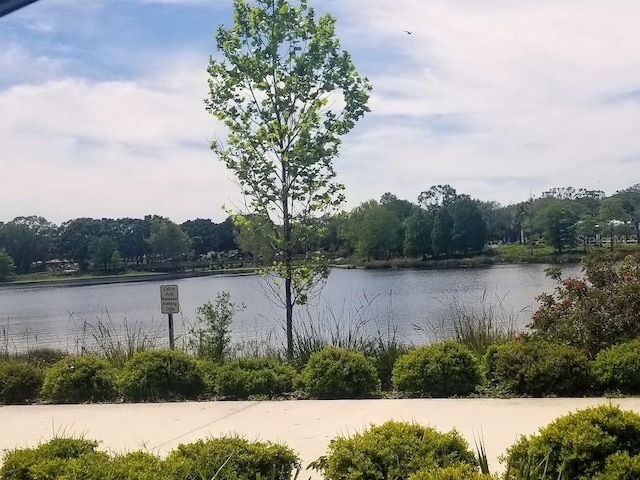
{"x":109,"y":244}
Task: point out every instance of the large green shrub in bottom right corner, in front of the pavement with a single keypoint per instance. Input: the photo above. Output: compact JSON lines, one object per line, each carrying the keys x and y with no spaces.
{"x":578,"y":444}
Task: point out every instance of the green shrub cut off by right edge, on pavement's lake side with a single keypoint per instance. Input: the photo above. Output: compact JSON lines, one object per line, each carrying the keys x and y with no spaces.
{"x":617,"y":368}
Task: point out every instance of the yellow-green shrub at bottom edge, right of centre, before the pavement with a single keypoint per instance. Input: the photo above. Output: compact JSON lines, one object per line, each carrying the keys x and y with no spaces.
{"x":392,"y":450}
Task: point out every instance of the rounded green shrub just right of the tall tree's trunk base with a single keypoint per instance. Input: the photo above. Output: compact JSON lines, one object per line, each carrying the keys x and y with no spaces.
{"x":339,"y":373}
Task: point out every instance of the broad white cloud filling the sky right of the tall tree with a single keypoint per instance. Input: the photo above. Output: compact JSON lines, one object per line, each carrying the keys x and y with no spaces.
{"x":526,"y":80}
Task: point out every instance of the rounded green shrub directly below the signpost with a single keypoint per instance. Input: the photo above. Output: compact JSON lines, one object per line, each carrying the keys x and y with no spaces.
{"x":161,"y":375}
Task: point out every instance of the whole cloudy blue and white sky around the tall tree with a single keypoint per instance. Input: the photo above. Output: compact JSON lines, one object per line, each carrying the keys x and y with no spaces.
{"x":102,"y":103}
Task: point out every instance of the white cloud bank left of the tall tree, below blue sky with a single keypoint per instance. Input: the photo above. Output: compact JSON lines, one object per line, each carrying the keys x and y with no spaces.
{"x":75,"y":148}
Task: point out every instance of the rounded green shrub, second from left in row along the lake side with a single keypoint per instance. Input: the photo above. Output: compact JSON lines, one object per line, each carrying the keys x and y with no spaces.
{"x":77,"y":379}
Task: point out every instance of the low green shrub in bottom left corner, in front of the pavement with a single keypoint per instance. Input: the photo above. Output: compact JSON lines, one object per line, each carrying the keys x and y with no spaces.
{"x":48,"y":460}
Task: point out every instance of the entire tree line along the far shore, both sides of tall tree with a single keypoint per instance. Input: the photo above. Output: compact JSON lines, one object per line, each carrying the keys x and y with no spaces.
{"x":440,"y":224}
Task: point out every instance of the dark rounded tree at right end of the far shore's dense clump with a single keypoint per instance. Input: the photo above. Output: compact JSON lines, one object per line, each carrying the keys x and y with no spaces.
{"x":469,"y":232}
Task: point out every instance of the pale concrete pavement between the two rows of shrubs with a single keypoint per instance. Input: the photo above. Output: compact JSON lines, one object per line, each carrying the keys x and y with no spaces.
{"x":307,"y":426}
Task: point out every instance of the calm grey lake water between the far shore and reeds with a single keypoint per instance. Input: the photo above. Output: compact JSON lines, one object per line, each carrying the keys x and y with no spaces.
{"x":414,"y":303}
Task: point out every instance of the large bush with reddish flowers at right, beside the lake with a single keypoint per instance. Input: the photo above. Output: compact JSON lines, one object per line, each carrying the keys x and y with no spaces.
{"x":595,"y":311}
